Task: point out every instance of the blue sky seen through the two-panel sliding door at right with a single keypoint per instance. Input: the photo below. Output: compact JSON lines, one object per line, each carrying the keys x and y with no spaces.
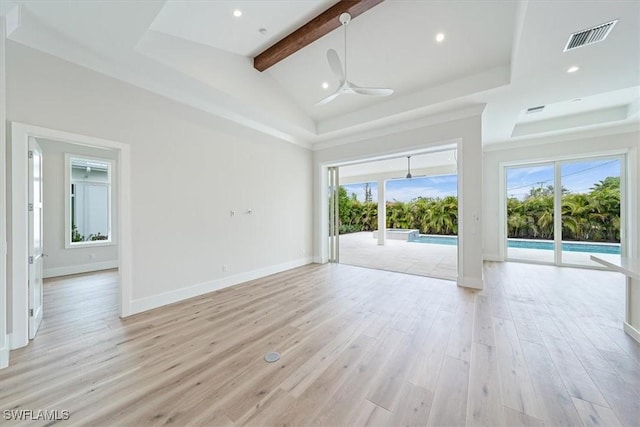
{"x":577,"y":177}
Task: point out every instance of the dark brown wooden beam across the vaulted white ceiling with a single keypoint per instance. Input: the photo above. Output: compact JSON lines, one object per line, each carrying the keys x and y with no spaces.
{"x":319,"y":26}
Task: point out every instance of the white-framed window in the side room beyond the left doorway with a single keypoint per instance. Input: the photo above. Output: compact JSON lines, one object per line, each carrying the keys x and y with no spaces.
{"x":88,"y":195}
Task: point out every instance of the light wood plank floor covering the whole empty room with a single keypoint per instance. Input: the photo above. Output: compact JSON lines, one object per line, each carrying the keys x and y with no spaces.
{"x":539,"y":346}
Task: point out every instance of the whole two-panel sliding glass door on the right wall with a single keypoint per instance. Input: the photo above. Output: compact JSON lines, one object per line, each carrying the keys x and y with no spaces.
{"x":565,"y":211}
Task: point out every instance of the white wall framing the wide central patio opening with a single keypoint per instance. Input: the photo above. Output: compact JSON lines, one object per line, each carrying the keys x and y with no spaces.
{"x":461,"y":127}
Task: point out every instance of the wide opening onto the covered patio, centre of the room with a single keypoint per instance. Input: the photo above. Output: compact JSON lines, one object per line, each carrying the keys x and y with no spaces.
{"x":416,"y":194}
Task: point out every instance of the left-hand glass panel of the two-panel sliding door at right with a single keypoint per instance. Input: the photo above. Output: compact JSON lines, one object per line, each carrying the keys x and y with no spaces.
{"x":530,"y":213}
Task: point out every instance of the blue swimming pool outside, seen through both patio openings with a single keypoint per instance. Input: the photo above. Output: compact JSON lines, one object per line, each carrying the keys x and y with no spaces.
{"x":598,"y":248}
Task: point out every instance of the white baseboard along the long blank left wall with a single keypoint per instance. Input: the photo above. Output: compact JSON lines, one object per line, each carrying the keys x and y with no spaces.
{"x":155,"y":301}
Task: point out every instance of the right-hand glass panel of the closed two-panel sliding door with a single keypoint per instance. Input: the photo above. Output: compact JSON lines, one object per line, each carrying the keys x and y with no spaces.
{"x":591,"y":223}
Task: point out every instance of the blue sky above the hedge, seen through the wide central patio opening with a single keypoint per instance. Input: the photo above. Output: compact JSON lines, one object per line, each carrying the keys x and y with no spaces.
{"x":404,"y":190}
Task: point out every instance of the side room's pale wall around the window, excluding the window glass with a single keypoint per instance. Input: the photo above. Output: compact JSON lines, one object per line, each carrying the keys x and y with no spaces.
{"x":61,"y":260}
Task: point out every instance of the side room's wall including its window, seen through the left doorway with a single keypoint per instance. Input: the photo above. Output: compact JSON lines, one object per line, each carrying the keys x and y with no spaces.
{"x":80,"y":201}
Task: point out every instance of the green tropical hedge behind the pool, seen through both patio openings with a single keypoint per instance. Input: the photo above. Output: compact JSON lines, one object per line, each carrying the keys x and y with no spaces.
{"x":592,"y":216}
